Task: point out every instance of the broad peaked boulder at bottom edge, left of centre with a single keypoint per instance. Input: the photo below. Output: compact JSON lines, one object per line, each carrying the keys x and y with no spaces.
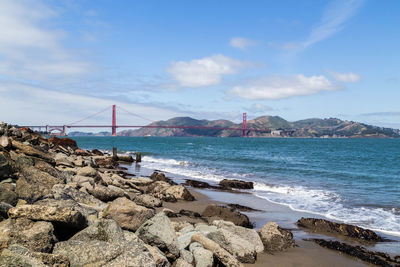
{"x":105,"y":244}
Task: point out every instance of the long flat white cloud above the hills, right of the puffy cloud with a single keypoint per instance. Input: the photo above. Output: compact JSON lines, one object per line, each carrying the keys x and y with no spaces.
{"x":278,"y":87}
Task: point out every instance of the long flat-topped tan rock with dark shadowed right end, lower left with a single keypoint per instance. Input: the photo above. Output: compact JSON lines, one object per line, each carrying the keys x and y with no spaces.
{"x":64,"y":216}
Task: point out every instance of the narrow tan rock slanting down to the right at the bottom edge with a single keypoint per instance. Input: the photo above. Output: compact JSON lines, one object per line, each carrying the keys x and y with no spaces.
{"x":223,"y":256}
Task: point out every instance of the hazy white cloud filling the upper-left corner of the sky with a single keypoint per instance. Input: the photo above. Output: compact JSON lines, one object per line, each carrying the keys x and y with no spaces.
{"x":29,"y":48}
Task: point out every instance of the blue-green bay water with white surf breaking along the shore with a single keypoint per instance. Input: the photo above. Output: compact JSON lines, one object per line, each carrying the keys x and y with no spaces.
{"x":352,"y":180}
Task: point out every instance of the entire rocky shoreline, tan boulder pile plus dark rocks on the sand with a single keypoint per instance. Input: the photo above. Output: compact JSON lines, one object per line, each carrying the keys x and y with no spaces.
{"x":64,"y":206}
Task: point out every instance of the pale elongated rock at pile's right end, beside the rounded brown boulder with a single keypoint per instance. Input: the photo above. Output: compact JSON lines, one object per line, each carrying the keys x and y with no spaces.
{"x":250,"y":235}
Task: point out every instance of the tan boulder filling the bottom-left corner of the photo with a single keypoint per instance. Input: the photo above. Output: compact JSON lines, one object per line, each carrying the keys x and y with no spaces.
{"x":17,"y":255}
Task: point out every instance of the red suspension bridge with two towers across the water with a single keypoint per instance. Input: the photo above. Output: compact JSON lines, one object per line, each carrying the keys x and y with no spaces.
{"x":62,"y":129}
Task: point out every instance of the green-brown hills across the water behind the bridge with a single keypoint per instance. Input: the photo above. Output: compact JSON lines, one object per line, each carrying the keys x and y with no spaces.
{"x":314,"y":127}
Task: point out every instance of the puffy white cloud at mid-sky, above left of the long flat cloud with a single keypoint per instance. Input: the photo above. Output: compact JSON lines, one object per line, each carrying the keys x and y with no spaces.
{"x":206,"y":71}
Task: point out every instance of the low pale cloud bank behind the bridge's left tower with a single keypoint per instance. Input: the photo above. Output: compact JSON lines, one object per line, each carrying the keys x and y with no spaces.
{"x":29,"y":105}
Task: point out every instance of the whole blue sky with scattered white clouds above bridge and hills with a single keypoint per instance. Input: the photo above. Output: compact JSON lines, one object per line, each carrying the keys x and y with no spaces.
{"x":64,"y":60}
